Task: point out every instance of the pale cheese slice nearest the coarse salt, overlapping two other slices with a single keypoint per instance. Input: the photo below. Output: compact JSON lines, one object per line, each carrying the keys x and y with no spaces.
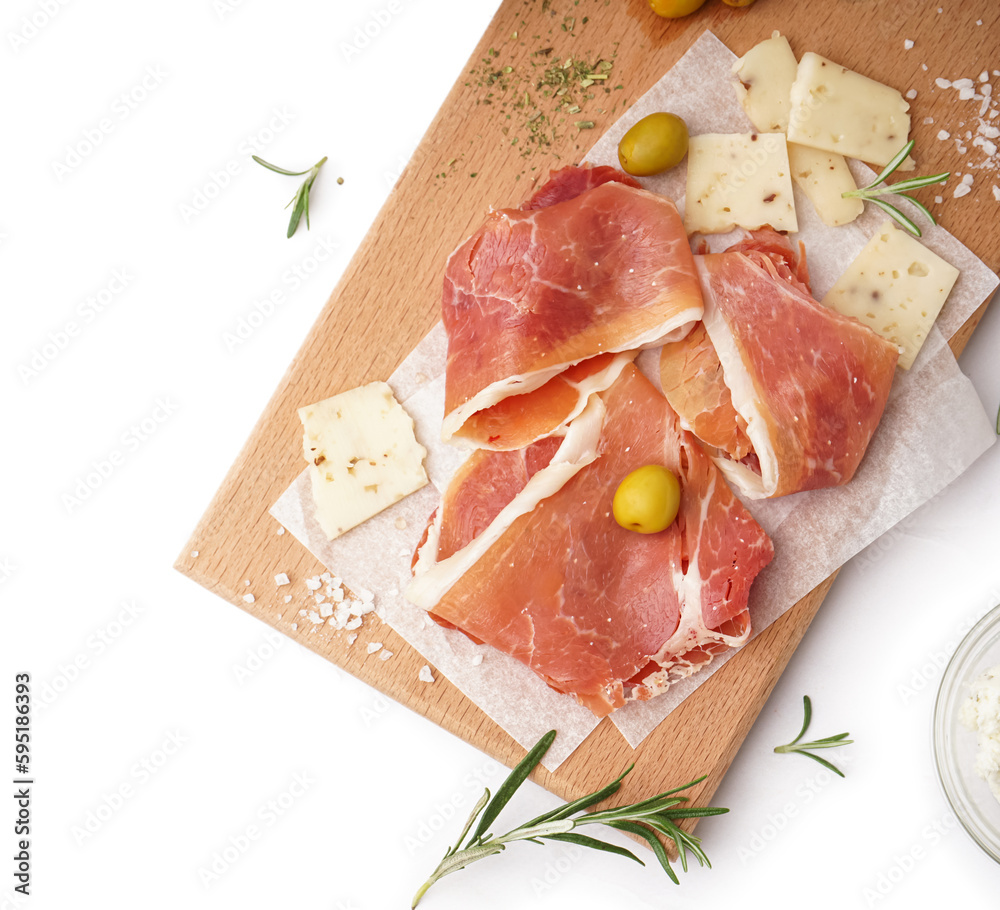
{"x":838,"y":110}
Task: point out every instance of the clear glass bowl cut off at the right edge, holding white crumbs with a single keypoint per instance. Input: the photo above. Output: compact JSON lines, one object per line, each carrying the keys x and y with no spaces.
{"x":970,"y":797}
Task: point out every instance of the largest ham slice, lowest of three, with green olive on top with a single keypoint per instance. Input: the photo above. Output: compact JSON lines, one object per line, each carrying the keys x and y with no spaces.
{"x":524,"y":554}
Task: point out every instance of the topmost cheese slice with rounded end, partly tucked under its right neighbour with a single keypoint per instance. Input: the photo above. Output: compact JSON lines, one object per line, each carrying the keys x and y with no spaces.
{"x":766,"y":73}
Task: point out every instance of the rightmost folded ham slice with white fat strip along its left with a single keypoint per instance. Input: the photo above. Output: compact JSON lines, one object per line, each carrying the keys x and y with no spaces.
{"x":783,"y":391}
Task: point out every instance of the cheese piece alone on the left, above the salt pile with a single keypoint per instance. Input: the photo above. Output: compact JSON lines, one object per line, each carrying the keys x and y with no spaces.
{"x":363,"y":455}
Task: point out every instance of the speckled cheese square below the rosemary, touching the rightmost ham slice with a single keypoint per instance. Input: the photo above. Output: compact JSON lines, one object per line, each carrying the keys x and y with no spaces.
{"x":897,"y":286}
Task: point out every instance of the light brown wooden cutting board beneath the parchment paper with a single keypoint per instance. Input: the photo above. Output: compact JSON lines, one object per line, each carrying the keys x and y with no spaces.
{"x":468,"y":162}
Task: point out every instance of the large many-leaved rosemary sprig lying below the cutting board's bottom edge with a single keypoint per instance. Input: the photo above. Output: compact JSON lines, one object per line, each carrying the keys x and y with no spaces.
{"x":646,"y":819}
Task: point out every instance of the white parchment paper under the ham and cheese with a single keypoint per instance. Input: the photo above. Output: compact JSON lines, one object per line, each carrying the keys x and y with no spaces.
{"x":934,"y":427}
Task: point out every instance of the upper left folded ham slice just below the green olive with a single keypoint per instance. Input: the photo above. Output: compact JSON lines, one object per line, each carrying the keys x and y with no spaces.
{"x":538,"y":297}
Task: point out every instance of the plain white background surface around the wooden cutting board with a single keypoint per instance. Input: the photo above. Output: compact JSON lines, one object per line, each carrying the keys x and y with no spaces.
{"x":368,"y":795}
